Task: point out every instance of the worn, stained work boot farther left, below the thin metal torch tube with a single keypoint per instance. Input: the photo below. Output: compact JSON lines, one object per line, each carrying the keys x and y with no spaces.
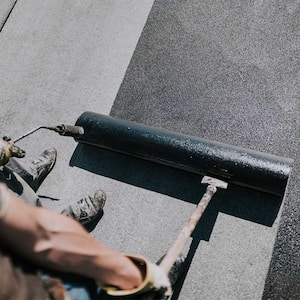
{"x":38,"y":169}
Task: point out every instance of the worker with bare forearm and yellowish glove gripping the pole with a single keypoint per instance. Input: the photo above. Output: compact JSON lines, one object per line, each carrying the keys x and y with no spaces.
{"x":48,"y":255}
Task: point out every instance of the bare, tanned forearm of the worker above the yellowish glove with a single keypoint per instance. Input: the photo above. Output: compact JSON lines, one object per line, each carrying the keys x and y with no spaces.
{"x":58,"y":242}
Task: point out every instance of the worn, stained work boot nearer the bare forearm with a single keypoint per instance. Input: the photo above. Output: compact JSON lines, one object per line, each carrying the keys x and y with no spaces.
{"x":86,"y":209}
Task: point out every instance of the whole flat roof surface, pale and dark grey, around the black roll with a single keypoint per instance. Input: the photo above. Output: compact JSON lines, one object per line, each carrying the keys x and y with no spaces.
{"x":214,"y":70}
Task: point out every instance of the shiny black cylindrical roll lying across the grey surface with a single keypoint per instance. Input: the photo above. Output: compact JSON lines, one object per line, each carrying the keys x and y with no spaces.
{"x":253,"y":169}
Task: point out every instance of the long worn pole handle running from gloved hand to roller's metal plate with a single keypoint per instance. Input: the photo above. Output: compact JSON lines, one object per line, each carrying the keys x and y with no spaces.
{"x":177,"y":247}
